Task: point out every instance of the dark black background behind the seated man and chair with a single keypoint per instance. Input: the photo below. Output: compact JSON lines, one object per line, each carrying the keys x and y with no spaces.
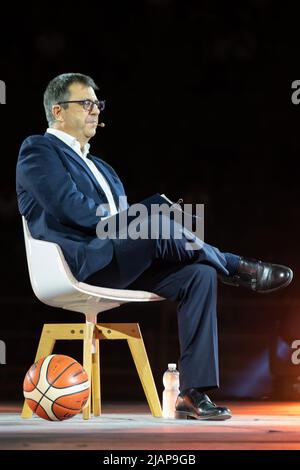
{"x":199,"y":106}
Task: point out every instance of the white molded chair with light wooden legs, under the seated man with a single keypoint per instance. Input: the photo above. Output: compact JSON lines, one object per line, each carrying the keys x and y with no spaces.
{"x":54,"y":284}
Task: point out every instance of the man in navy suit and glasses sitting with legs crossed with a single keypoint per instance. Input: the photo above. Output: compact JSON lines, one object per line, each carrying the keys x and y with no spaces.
{"x":64,"y":191}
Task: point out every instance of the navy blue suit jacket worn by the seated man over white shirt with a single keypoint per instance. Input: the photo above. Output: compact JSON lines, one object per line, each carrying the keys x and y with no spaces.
{"x":59,"y":195}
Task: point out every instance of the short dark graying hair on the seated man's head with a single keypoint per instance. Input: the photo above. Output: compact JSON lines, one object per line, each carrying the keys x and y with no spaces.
{"x":58,"y":90}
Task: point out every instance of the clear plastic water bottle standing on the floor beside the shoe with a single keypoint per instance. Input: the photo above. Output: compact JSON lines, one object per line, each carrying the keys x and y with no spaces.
{"x":170,"y":393}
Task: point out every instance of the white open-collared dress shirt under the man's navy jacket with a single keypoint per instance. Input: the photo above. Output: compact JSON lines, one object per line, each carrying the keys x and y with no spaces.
{"x":75,"y":145}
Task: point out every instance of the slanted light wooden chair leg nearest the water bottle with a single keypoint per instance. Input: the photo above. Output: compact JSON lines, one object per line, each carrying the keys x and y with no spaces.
{"x":139,"y":354}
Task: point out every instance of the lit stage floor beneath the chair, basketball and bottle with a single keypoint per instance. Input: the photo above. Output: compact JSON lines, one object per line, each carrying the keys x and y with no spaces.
{"x":255,"y":425}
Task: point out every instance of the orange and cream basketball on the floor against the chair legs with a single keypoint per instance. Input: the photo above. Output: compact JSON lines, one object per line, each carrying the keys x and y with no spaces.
{"x":56,"y":387}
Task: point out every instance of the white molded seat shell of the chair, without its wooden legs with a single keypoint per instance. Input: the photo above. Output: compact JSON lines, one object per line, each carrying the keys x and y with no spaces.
{"x":54,"y":284}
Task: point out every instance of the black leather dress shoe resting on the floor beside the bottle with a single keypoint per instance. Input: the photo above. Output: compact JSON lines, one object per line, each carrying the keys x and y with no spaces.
{"x":197,"y":405}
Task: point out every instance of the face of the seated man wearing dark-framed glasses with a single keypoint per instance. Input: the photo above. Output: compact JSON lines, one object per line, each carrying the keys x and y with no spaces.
{"x":75,"y":120}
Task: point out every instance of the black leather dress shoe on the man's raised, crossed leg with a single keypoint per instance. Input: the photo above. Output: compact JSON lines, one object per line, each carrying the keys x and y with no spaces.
{"x":259,"y":277}
